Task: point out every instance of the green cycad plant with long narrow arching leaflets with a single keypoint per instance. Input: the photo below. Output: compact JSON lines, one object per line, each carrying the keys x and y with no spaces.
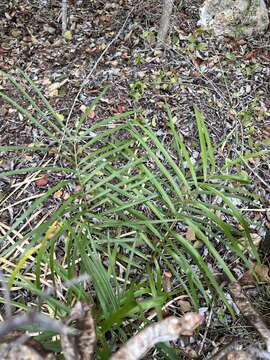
{"x":131,"y":201}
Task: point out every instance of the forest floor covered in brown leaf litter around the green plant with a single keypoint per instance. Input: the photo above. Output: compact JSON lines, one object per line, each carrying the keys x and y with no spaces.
{"x":113,"y":43}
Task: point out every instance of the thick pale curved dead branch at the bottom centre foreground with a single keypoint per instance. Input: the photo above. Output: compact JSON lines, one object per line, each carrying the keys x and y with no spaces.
{"x":166,"y":330}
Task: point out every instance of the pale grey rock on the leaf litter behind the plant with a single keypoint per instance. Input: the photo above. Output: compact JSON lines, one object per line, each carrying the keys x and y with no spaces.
{"x":234,"y":18}
